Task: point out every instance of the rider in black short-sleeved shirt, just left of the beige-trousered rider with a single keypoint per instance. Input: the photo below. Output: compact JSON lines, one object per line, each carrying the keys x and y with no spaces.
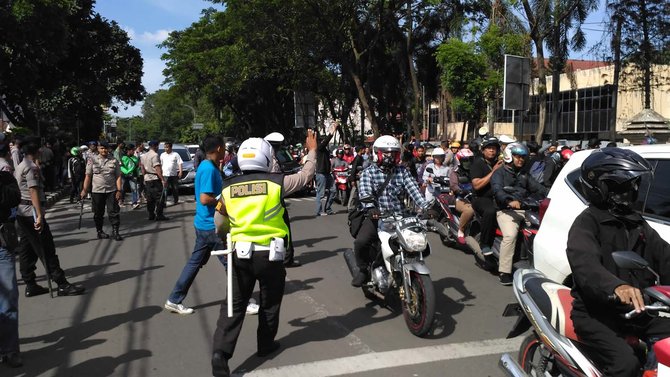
{"x":480,"y":175}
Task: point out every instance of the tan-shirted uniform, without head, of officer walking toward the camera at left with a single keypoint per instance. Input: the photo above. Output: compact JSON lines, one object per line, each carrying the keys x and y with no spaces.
{"x":104,"y":173}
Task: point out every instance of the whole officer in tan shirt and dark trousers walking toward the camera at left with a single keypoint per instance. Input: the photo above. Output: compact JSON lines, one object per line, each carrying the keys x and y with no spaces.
{"x":104,"y":172}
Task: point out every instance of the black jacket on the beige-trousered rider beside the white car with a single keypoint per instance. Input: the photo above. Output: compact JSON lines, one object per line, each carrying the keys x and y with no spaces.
{"x":524,"y":186}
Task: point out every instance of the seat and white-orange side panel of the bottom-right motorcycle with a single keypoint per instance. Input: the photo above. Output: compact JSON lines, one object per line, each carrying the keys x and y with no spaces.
{"x":555,"y":303}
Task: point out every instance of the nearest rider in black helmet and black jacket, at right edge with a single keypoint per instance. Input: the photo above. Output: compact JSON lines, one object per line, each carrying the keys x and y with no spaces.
{"x":610,"y":180}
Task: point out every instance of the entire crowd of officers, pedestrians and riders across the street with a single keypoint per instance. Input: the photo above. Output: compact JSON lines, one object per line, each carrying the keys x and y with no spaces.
{"x":240,"y":198}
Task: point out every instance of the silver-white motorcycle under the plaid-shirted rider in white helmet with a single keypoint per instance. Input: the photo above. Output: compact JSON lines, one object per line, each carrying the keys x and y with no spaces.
{"x":409,"y":278}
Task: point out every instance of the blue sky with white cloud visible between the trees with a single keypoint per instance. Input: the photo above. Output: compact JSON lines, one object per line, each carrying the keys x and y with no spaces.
{"x":148,"y":23}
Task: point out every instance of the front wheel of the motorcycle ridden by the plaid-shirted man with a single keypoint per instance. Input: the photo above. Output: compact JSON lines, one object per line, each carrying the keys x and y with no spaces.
{"x":420,"y":309}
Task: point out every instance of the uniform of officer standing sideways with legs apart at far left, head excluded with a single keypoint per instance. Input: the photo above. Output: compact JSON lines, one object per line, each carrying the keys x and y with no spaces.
{"x":31,"y":242}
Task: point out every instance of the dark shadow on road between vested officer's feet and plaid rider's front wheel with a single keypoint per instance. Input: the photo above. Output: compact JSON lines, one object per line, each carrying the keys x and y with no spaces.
{"x":322,"y":329}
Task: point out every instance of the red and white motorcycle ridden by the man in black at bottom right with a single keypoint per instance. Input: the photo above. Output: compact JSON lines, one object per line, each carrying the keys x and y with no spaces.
{"x":553,"y":348}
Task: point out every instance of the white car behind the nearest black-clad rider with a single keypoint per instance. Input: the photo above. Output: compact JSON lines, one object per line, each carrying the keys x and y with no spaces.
{"x":565,"y":202}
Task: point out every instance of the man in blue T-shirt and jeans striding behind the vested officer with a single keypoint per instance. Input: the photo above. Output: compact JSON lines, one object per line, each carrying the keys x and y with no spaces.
{"x":208,"y":184}
